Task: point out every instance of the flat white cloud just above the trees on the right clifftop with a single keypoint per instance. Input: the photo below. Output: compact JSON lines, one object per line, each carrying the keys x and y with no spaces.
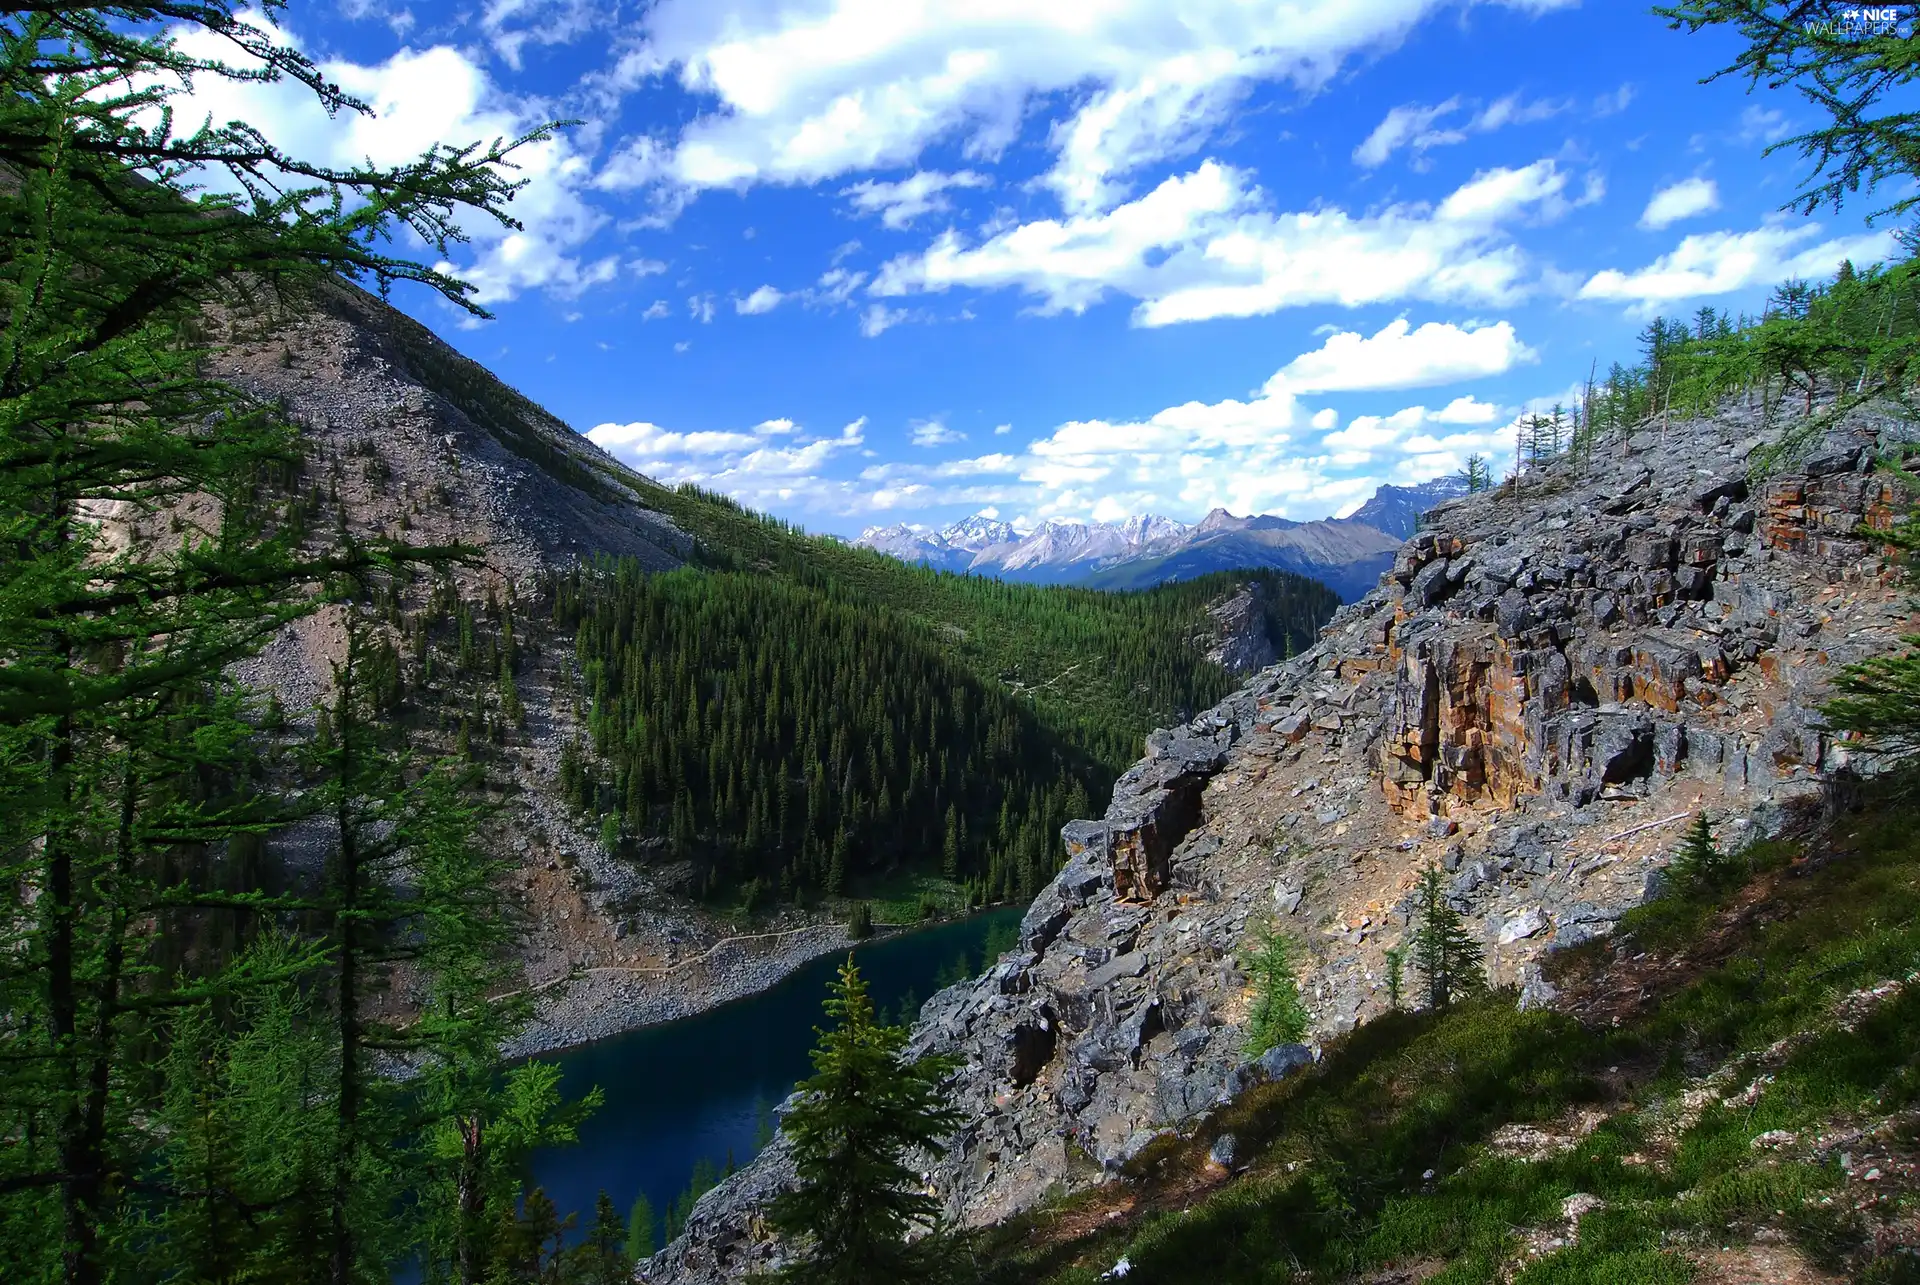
{"x":1725,"y":262}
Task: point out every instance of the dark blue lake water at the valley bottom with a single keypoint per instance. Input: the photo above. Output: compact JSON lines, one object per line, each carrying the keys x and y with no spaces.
{"x":702,"y":1090}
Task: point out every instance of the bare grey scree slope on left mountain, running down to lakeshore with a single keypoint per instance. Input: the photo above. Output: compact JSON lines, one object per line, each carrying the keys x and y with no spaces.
{"x":408,"y":439}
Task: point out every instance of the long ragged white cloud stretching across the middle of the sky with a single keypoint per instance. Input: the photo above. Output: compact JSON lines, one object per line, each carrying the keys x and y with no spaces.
{"x":1203,"y":245}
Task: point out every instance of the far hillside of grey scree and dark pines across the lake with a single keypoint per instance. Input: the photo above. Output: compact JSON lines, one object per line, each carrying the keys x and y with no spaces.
{"x":627,"y":869}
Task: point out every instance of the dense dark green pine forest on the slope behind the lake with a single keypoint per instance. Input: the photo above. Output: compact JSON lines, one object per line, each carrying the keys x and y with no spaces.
{"x":790,"y":739}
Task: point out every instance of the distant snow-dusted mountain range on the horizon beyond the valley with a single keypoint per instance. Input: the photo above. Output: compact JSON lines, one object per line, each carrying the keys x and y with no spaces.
{"x":1343,"y":554}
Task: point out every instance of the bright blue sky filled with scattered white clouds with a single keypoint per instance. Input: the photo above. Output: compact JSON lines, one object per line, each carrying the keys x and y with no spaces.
{"x":865,"y":262}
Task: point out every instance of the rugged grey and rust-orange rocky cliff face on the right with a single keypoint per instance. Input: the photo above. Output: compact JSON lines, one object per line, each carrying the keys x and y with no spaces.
{"x":1537,"y":698}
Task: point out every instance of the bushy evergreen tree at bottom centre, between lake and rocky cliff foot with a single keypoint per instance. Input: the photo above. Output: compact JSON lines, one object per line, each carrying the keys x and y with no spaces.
{"x":857,"y":1121}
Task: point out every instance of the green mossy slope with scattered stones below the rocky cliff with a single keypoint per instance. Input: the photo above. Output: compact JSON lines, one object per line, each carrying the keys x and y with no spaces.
{"x":1773,"y":1009}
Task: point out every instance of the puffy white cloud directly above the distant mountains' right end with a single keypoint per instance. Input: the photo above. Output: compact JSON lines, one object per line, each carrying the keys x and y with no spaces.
{"x":1401,"y":356}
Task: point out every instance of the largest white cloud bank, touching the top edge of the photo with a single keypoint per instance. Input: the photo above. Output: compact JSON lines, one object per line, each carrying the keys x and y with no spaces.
{"x":809,"y":93}
